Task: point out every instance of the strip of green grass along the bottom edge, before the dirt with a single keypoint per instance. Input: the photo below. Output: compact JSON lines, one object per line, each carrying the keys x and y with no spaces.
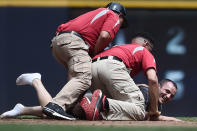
{"x":14,"y":127}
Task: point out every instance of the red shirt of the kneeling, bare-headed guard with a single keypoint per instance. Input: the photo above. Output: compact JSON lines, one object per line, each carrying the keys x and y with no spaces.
{"x":133,"y":55}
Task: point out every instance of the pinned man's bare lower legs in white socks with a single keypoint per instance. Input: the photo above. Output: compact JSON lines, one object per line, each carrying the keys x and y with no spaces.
{"x":44,"y":97}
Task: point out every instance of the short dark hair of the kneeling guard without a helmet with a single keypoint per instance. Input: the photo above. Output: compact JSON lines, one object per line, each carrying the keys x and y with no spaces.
{"x":145,"y":35}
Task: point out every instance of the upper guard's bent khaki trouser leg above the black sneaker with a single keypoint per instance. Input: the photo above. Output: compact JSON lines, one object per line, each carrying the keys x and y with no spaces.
{"x":79,"y":69}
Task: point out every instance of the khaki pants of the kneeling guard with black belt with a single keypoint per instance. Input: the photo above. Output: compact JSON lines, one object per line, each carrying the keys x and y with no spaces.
{"x":126,"y":101}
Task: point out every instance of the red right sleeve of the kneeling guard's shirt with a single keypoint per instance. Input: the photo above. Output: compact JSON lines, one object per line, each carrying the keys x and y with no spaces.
{"x":148,"y":61}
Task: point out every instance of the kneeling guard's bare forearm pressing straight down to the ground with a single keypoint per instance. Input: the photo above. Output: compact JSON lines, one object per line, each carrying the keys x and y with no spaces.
{"x":153,"y":92}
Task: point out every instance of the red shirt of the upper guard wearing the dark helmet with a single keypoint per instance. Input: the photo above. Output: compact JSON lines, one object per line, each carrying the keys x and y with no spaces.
{"x":90,"y":24}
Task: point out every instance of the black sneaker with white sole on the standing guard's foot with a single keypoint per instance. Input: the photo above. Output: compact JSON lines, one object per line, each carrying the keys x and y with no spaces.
{"x":55,"y":111}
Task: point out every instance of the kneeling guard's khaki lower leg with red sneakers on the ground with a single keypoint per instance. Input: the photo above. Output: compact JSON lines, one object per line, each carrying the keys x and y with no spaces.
{"x":110,"y":109}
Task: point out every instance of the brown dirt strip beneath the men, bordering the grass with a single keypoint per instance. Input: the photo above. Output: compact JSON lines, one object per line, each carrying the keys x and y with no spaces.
{"x":97,"y":123}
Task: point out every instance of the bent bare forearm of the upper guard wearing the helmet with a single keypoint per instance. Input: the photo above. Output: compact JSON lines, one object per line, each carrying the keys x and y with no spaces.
{"x":102,"y":42}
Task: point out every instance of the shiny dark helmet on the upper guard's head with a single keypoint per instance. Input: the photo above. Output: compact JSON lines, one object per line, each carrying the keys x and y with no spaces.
{"x":119,"y":9}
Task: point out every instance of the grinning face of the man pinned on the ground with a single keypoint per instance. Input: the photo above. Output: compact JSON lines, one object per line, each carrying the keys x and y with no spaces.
{"x":167,"y":92}
